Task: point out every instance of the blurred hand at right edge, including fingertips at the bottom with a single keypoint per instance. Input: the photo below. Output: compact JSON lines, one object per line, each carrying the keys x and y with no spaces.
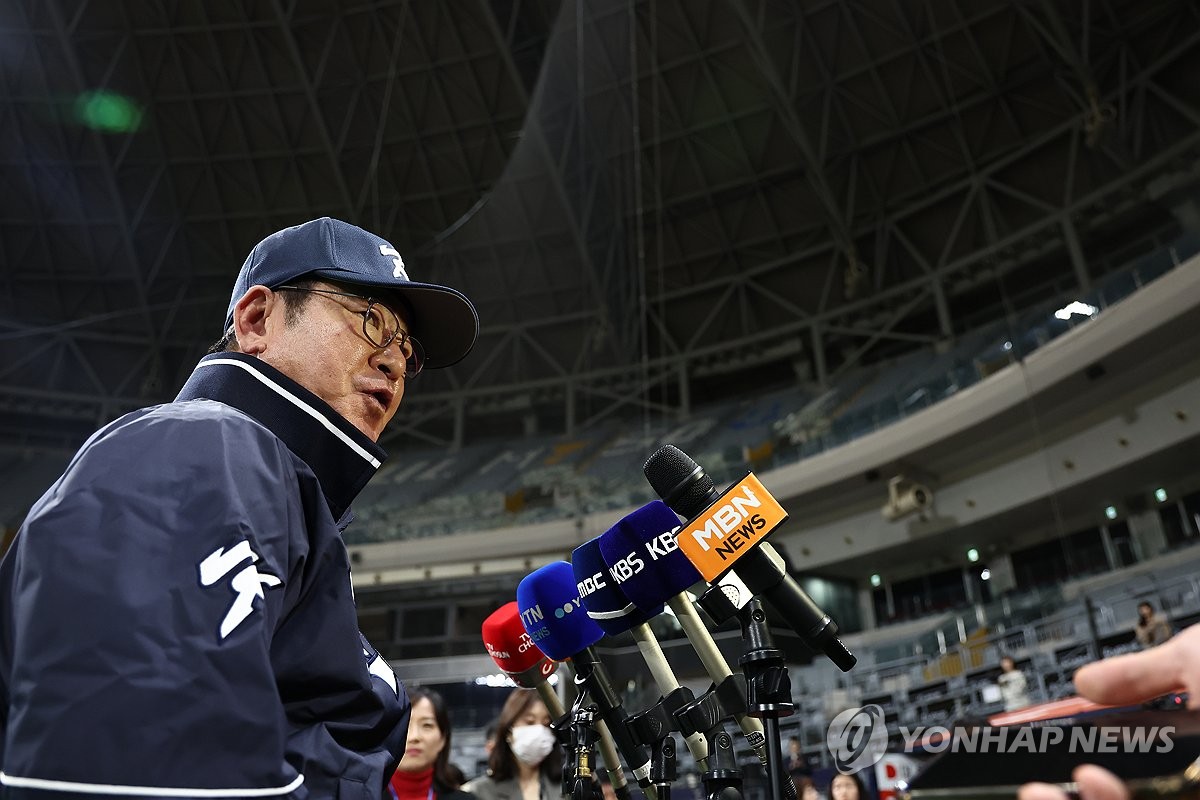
{"x":1124,"y":681}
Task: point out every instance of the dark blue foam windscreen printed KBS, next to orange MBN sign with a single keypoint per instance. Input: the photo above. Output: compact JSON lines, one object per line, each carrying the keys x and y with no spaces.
{"x":655,"y":568}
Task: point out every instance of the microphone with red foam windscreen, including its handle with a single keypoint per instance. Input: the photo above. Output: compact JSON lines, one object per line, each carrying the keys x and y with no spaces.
{"x":520,"y":659}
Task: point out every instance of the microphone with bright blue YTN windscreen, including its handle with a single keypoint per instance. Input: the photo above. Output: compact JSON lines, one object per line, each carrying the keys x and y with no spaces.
{"x":556,"y":622}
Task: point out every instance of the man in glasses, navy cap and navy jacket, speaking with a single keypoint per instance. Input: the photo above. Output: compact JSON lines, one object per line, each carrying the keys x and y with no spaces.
{"x":207,"y":561}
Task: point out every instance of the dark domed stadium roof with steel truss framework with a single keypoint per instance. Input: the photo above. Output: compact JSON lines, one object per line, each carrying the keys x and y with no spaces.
{"x":644,"y":202}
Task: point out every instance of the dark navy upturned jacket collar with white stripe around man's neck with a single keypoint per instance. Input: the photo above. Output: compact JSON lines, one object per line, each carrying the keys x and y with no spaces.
{"x":339,"y":454}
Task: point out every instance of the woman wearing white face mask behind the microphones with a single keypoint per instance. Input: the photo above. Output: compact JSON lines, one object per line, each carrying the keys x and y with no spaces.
{"x":525,"y":763}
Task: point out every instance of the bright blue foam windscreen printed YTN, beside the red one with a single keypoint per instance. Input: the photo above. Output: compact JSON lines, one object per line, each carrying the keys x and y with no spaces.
{"x":553,"y":615}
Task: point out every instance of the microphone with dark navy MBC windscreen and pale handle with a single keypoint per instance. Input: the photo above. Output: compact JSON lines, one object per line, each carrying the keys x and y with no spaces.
{"x":609,"y":607}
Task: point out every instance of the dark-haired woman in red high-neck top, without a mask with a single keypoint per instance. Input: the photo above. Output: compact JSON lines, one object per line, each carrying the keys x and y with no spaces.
{"x":425,"y":773}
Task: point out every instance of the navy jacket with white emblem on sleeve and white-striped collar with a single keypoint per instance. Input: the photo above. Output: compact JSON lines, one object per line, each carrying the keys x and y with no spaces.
{"x":177,"y":617}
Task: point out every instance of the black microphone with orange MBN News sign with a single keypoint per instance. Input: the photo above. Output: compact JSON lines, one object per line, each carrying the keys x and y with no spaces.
{"x":731,"y":528}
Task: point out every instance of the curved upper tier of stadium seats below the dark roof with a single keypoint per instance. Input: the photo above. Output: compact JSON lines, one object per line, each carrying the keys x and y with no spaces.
{"x":524,"y":480}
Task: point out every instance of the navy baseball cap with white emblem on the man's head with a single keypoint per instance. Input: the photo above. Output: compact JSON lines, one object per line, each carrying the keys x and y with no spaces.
{"x":442,"y":318}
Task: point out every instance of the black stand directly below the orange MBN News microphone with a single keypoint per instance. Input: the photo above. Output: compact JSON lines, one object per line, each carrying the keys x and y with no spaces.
{"x":769,"y":689}
